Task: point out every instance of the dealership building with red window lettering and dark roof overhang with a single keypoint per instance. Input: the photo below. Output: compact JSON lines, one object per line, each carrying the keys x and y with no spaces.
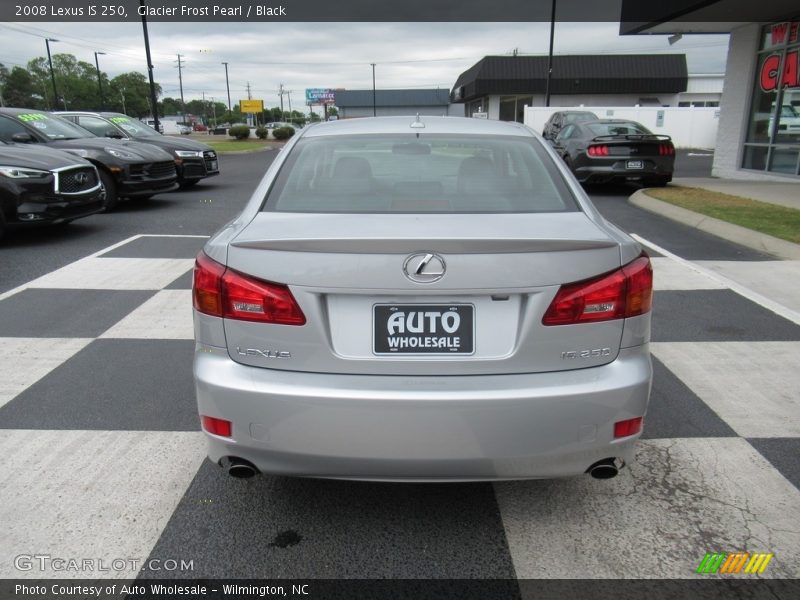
{"x":759,"y":124}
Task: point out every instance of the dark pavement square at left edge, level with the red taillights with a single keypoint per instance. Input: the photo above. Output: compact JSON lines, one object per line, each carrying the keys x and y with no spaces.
{"x":66,"y":313}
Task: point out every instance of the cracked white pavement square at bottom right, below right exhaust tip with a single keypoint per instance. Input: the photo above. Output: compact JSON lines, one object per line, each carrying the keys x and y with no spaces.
{"x":681,"y":499}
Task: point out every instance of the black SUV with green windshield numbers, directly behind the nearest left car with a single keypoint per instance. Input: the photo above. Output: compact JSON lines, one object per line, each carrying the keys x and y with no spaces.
{"x":127,"y":169}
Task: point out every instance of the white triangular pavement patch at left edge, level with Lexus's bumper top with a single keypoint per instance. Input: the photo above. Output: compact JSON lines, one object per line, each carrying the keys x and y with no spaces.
{"x":24,"y":361}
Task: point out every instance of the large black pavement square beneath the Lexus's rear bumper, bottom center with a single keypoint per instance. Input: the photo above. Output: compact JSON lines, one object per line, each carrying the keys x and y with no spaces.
{"x":283,"y":527}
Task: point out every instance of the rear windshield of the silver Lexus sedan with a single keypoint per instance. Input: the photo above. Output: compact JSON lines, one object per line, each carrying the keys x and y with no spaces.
{"x":406,"y":174}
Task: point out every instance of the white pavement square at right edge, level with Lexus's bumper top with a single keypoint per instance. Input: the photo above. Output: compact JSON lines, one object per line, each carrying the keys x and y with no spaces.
{"x":753,"y":386}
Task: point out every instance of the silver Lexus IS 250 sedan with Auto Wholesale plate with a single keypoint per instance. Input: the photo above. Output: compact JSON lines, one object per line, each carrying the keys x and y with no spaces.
{"x":421,"y":299}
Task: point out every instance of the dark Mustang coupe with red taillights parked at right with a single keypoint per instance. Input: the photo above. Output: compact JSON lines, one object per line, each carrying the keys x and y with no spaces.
{"x":608,"y":150}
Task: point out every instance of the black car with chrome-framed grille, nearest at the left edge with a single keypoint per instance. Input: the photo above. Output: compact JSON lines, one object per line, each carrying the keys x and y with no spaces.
{"x":41,"y":186}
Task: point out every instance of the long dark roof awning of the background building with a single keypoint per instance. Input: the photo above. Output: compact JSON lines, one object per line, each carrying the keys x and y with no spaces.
{"x":576,"y":74}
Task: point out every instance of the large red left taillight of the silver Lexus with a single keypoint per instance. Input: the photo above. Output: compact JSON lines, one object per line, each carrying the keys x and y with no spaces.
{"x":222,"y":292}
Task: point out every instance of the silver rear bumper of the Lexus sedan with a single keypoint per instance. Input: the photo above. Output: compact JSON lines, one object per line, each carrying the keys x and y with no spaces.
{"x":422,"y":428}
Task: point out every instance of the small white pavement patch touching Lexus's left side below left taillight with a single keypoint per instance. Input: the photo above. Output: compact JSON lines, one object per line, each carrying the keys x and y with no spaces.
{"x":165,"y":316}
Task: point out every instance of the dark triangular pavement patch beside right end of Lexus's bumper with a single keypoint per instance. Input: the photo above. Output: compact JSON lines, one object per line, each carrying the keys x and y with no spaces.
{"x":675,"y":411}
